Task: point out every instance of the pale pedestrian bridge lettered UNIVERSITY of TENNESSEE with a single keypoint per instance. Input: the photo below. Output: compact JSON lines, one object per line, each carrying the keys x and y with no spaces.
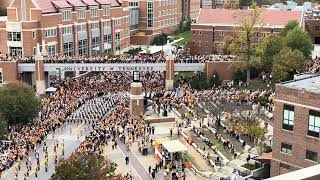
{"x":81,"y":67}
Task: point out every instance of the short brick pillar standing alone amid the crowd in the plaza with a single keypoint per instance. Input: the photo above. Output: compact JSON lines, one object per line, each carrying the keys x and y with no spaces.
{"x":136,"y":99}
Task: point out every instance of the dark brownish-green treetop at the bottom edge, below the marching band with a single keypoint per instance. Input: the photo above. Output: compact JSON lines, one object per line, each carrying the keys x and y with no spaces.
{"x":85,"y":166}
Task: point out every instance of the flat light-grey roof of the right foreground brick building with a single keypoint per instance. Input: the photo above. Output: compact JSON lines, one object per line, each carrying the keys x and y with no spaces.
{"x":310,"y":83}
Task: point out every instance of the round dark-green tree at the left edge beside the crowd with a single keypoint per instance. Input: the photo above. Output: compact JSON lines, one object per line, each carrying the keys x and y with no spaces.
{"x":18,"y":103}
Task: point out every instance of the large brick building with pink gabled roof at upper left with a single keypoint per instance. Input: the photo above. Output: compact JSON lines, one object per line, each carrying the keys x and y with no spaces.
{"x":70,"y":27}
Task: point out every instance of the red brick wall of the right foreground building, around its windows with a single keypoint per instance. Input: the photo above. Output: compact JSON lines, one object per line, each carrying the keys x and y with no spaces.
{"x":302,"y":101}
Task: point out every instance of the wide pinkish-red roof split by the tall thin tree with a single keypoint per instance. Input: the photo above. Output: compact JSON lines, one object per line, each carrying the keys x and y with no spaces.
{"x":227,"y":17}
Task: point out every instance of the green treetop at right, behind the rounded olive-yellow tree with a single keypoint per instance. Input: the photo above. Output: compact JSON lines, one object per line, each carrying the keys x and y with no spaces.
{"x":300,"y":40}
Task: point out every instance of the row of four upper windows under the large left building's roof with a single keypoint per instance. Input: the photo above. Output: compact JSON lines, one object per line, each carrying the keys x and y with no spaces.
{"x":81,"y":13}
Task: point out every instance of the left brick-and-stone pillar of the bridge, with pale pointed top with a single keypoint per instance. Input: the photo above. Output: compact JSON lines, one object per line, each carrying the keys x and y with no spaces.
{"x":40,"y":78}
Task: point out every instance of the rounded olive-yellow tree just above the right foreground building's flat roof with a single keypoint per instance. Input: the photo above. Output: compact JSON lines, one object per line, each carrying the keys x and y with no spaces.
{"x":287,"y":63}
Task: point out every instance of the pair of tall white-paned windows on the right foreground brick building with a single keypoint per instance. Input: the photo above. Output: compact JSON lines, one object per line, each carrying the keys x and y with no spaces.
{"x":313,"y":121}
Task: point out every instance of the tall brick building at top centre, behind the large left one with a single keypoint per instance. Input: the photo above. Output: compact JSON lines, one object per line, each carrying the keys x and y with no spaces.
{"x":151,"y":18}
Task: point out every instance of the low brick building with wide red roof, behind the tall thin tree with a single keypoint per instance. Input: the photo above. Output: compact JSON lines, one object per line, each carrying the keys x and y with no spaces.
{"x":213,"y":25}
